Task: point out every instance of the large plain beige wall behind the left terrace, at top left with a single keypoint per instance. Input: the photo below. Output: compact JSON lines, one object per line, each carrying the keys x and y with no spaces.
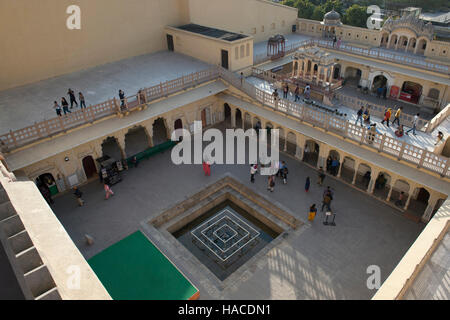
{"x":38,"y":45}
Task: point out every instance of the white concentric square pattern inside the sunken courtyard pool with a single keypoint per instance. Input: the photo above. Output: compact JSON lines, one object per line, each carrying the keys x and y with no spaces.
{"x":224,"y":234}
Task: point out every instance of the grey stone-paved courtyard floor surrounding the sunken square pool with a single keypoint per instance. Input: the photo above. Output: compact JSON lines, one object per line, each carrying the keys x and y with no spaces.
{"x":314,"y":262}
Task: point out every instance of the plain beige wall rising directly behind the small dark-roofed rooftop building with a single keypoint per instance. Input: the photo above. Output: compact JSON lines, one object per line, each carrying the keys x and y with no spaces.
{"x":244,"y":16}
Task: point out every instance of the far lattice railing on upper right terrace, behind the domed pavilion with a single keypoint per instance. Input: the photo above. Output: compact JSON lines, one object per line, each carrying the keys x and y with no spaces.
{"x":379,"y":53}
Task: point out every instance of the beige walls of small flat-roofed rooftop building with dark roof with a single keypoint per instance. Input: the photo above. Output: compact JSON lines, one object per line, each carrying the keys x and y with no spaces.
{"x":240,"y":52}
